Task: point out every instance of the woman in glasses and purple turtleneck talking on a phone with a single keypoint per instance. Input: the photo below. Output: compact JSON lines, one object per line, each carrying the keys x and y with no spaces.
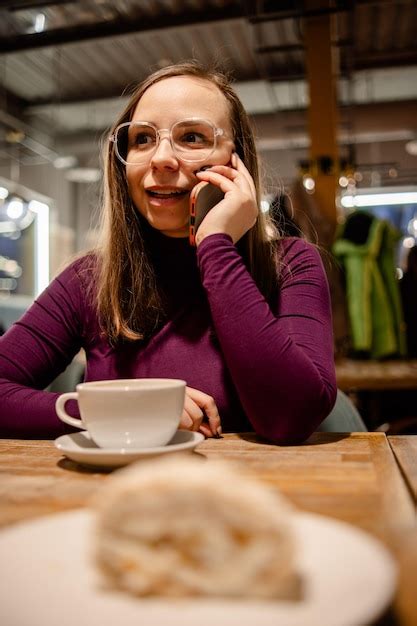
{"x":244,"y":317}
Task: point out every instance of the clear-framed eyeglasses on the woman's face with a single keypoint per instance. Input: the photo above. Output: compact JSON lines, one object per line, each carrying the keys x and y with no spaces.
{"x":217,"y":132}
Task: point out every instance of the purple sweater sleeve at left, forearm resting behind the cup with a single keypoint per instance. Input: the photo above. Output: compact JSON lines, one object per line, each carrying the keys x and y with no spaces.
{"x":33,"y":352}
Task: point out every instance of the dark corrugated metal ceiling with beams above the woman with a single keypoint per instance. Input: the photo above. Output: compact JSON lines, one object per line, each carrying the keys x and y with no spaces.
{"x":64,"y":64}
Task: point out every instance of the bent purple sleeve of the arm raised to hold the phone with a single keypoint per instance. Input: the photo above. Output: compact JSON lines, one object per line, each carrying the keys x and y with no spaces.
{"x":281,"y":357}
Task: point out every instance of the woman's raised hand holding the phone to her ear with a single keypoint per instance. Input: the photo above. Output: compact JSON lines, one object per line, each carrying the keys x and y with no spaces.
{"x":238,"y":211}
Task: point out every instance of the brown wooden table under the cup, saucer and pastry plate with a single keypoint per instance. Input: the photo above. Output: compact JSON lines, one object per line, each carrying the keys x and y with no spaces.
{"x":352,"y":477}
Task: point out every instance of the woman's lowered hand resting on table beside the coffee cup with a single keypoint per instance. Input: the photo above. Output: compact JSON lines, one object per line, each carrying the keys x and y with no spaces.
{"x":198,"y":407}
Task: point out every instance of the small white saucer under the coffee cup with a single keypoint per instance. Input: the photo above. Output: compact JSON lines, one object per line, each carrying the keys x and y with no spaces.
{"x":80,"y":447}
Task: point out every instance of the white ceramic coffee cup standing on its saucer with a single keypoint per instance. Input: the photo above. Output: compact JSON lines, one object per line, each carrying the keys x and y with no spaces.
{"x":127,"y":413}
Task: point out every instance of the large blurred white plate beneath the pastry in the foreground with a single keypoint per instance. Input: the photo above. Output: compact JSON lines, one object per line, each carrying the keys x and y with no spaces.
{"x":47,"y":578}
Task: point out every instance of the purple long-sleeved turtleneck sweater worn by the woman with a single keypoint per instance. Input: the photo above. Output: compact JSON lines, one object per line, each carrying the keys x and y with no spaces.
{"x":269,"y":367}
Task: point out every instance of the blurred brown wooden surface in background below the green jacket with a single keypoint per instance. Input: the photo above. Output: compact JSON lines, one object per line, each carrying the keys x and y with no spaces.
{"x":376,"y":375}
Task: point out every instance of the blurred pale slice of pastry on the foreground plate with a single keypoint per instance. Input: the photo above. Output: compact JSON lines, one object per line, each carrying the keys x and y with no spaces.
{"x":183,"y":527}
